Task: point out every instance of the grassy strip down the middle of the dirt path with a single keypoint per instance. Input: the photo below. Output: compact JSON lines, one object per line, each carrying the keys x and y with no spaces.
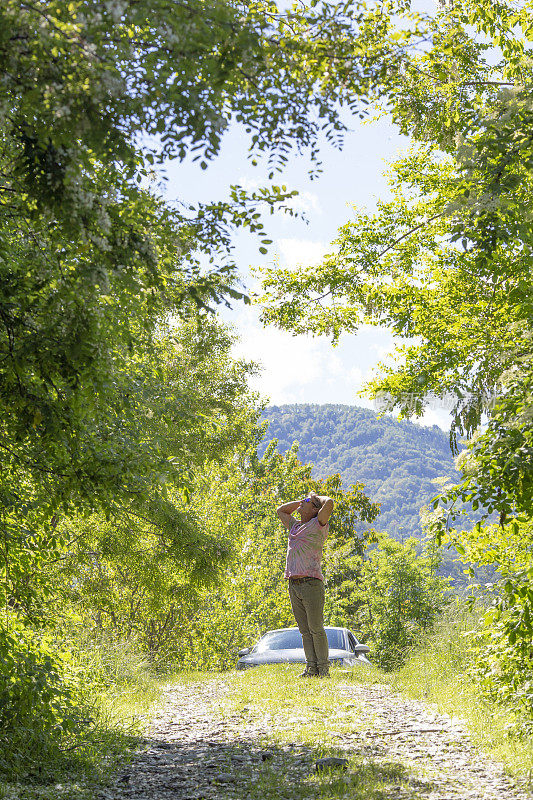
{"x":303,"y":720}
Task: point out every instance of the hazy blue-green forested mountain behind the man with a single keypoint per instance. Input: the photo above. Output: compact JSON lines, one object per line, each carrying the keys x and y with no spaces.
{"x":396,"y":460}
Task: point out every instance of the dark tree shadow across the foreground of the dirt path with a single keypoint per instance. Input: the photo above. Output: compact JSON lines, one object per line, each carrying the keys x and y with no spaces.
{"x":241,"y":769}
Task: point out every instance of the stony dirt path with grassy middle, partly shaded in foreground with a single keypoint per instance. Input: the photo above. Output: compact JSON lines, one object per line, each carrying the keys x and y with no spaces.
{"x":199,"y":747}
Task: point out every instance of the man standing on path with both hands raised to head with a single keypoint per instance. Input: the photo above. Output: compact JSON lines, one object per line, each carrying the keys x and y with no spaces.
{"x":306,"y":582}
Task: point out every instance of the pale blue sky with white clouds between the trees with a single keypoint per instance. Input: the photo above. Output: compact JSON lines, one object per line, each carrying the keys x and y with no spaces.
{"x":302,"y":369}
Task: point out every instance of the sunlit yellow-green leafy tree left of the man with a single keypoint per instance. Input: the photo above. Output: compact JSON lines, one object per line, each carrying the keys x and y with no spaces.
{"x":132,"y":573}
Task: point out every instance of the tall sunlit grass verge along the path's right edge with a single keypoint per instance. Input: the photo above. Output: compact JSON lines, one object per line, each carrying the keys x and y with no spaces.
{"x":437,"y":674}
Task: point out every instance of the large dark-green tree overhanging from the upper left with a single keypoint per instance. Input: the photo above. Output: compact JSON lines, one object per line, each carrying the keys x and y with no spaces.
{"x":91,"y":259}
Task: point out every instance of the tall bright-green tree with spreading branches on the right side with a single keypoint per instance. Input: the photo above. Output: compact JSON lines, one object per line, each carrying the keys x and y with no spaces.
{"x":448,"y":262}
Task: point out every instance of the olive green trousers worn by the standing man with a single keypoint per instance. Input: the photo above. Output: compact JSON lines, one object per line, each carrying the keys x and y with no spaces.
{"x":307,"y":601}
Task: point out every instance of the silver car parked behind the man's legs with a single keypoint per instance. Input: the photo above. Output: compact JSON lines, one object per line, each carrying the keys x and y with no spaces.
{"x":285,"y":646}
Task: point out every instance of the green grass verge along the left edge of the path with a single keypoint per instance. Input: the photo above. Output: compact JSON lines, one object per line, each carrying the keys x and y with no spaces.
{"x":71,"y":767}
